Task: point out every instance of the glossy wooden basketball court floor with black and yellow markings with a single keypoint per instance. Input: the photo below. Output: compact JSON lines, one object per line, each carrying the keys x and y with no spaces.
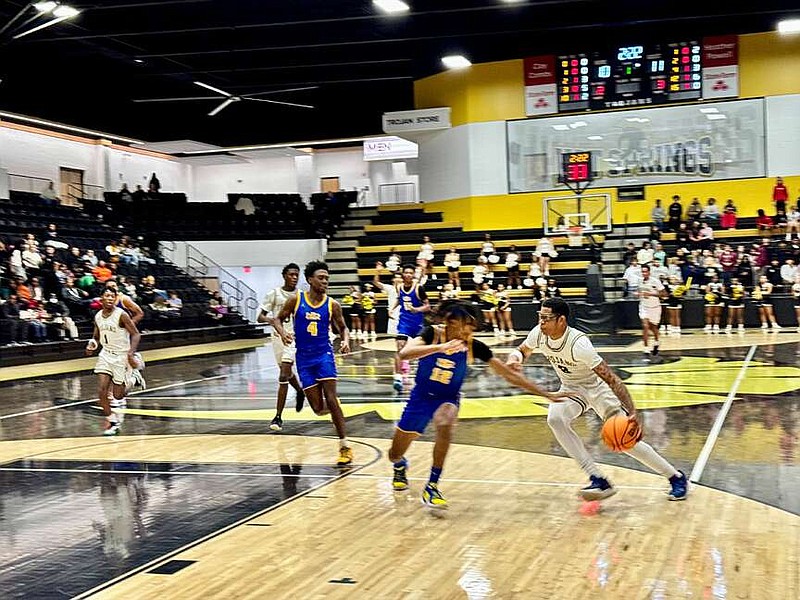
{"x":197,"y":497}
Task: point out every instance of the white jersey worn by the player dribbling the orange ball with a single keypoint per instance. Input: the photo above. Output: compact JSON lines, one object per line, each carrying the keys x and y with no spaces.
{"x":572,"y":355}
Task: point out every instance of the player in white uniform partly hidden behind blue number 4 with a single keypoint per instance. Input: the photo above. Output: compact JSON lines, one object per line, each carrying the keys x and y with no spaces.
{"x":284,"y":355}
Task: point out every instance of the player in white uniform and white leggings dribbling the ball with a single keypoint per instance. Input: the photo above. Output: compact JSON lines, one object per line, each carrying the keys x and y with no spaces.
{"x":591,"y":383}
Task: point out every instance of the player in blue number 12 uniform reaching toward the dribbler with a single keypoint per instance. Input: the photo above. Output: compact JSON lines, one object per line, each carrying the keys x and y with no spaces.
{"x":444,"y":351}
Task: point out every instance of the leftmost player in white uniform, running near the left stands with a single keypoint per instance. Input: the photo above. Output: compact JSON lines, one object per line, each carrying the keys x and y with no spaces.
{"x":116,"y":334}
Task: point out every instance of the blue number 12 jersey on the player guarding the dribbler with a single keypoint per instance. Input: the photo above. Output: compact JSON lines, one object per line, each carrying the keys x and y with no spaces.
{"x":441,"y":375}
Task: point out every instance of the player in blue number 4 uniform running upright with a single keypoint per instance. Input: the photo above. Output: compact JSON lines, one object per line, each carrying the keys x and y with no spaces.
{"x":313,"y":313}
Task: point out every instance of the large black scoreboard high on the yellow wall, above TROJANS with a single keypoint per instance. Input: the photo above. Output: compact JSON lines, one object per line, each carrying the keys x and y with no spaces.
{"x":629,"y":76}
